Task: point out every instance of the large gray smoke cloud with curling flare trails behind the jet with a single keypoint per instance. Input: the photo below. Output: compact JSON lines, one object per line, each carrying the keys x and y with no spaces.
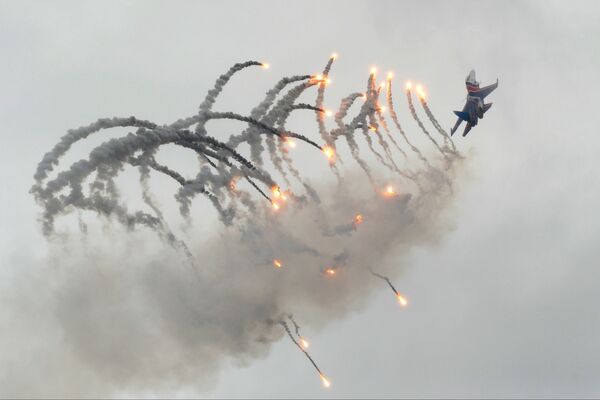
{"x":121,"y":312}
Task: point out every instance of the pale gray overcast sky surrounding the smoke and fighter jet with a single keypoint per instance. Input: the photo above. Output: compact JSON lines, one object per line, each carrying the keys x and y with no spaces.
{"x":505,"y":305}
